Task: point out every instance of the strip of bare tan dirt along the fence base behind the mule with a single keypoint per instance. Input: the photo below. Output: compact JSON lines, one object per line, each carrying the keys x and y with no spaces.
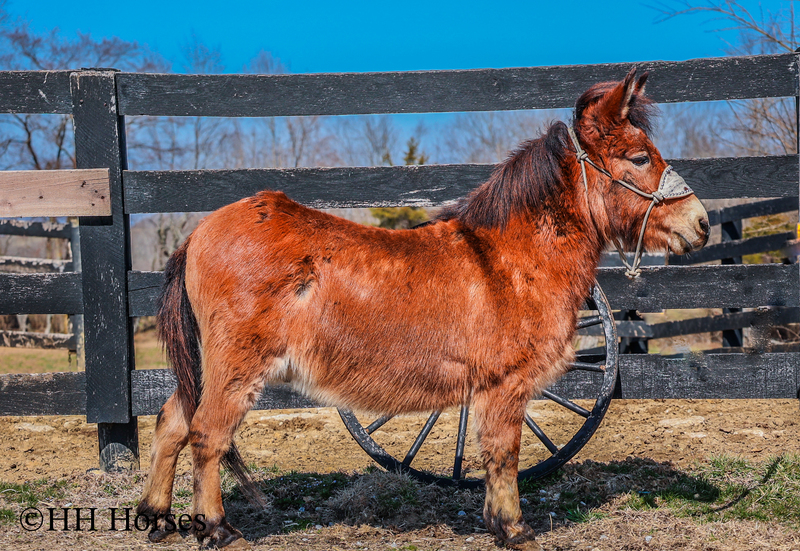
{"x":680,"y":431}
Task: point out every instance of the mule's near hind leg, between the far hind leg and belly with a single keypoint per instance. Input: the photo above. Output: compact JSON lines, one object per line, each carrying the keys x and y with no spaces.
{"x":230,"y":387}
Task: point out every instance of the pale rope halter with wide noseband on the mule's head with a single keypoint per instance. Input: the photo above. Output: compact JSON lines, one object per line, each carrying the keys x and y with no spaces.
{"x":670,"y":186}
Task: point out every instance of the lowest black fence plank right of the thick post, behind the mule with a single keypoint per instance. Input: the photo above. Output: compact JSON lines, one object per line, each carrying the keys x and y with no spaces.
{"x":643,"y":376}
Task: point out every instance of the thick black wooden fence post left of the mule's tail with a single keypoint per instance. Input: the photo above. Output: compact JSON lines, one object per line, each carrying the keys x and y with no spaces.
{"x":105,"y":261}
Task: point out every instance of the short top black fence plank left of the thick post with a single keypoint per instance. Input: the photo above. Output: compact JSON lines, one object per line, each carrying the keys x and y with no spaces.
{"x":35,"y":92}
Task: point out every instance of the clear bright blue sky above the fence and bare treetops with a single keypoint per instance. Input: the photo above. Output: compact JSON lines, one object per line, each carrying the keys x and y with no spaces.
{"x":331,"y":36}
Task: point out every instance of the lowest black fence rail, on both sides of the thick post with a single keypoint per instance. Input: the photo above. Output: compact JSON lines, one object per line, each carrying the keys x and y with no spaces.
{"x":697,"y":376}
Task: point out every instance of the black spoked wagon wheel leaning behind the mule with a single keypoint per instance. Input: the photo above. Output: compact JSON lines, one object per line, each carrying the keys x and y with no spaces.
{"x":594,"y":370}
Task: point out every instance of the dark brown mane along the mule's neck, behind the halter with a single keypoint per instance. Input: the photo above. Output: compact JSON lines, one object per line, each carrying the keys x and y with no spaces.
{"x":518,"y":184}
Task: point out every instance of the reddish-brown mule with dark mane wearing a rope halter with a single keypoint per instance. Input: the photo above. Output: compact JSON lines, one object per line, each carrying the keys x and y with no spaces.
{"x":478,"y":307}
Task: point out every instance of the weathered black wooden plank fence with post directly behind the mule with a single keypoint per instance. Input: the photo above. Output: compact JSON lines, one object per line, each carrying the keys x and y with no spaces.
{"x":112,"y":393}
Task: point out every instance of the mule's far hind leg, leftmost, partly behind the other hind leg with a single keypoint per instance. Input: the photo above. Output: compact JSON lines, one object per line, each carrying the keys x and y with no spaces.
{"x":172,"y":434}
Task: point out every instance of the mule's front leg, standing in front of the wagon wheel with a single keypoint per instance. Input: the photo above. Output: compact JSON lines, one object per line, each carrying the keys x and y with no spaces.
{"x":499,"y":414}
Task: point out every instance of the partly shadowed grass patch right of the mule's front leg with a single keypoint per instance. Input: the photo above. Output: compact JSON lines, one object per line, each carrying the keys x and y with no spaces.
{"x":721,"y":489}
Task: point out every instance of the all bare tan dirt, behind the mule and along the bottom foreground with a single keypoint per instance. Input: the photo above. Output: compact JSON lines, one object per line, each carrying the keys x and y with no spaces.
{"x":678,"y":431}
